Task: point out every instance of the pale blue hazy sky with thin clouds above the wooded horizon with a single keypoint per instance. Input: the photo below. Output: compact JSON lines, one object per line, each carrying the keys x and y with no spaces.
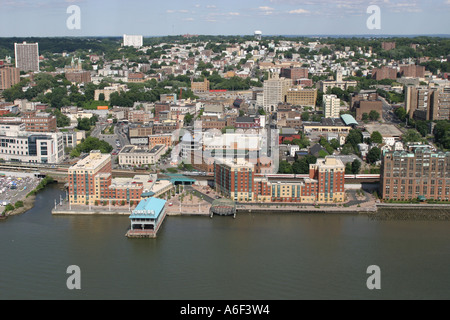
{"x":212,"y":17}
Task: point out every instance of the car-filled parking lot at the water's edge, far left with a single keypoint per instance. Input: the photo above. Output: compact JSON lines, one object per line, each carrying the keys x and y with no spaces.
{"x":15,"y":186}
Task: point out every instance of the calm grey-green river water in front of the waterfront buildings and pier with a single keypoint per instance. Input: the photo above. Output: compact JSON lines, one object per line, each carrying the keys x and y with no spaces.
{"x":252,"y":257}
